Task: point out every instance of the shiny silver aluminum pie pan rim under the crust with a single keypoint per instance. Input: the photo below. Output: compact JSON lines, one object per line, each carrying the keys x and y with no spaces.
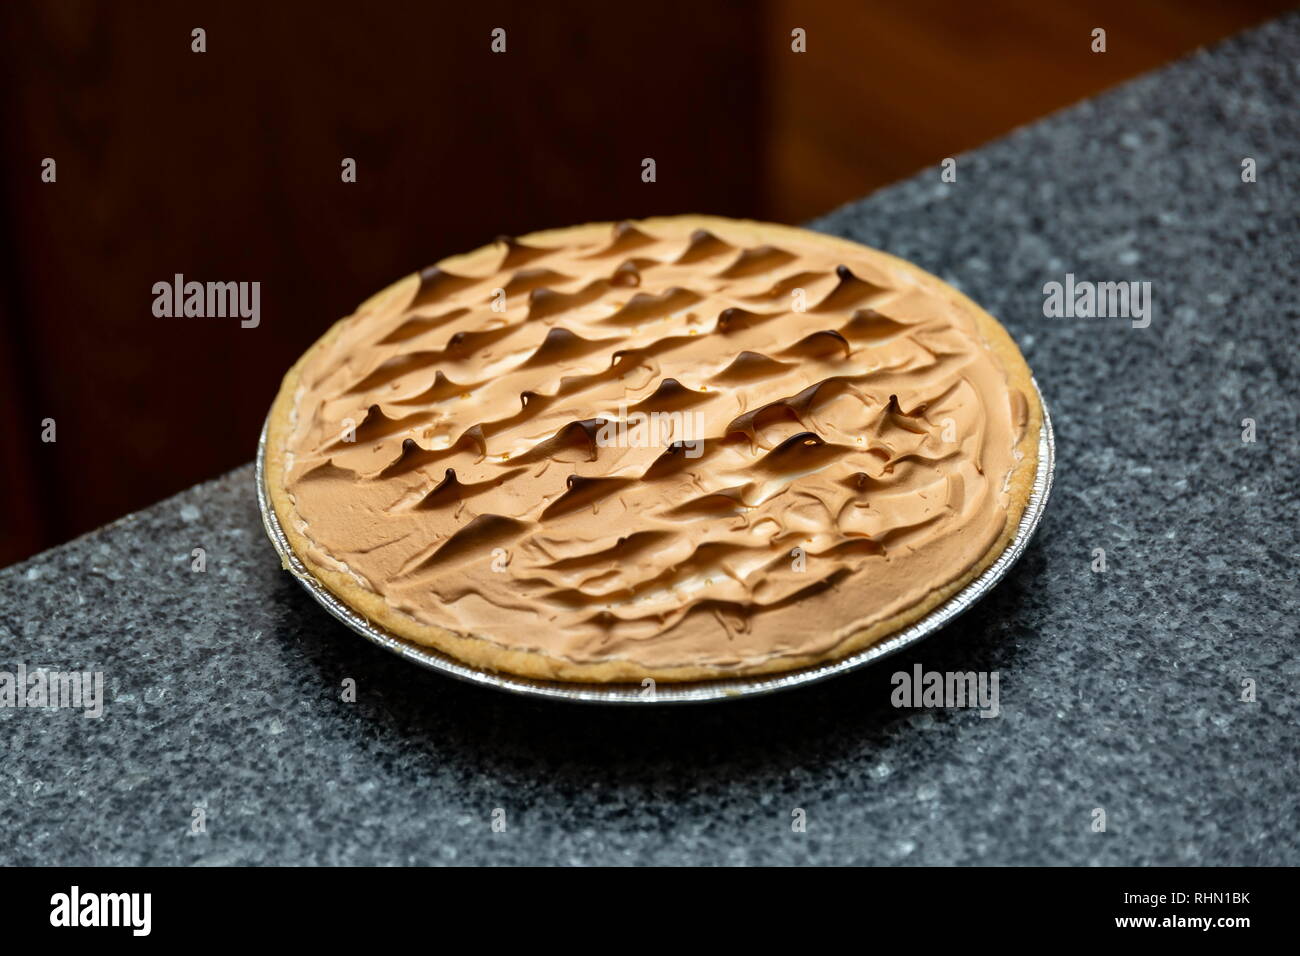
{"x":664,"y":693}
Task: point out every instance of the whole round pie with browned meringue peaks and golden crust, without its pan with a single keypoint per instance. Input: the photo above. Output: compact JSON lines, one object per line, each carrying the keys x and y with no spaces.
{"x":683,"y":449}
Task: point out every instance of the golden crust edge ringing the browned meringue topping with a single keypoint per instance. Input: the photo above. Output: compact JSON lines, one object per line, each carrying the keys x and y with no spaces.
{"x":487,"y":655}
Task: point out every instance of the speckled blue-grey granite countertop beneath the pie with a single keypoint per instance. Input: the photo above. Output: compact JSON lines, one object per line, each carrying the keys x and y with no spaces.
{"x":1120,"y":690}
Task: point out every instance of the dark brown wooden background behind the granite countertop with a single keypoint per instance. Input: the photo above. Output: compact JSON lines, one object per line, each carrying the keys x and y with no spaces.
{"x":226,"y":166}
